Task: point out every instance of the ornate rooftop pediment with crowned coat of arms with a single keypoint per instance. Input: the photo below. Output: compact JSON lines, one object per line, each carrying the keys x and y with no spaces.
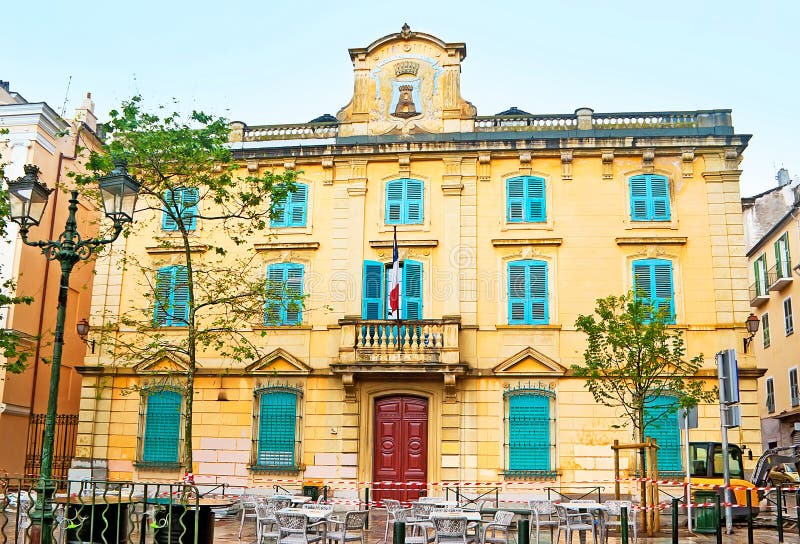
{"x":406,"y":83}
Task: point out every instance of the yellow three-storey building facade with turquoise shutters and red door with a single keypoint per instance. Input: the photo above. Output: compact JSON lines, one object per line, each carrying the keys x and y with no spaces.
{"x":508,"y":227}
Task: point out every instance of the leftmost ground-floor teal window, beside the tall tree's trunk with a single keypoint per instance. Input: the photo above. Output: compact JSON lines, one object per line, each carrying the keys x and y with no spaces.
{"x":160,"y":428}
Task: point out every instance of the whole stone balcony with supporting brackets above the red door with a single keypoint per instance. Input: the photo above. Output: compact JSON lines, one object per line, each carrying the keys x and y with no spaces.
{"x":409,"y":347}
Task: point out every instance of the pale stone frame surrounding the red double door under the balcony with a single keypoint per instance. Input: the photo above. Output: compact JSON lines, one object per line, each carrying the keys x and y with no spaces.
{"x":370,"y":391}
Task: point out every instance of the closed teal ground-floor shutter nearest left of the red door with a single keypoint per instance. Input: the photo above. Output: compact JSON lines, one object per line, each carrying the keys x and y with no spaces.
{"x":277,"y":427}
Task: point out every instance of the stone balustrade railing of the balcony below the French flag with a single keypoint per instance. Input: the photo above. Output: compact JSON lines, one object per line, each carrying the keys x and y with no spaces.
{"x":421,"y":341}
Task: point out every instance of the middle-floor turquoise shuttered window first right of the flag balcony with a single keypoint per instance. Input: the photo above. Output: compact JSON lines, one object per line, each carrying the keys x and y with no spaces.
{"x":527,"y":293}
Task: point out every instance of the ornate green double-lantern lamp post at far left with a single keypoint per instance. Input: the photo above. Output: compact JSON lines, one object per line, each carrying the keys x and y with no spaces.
{"x":28,"y":198}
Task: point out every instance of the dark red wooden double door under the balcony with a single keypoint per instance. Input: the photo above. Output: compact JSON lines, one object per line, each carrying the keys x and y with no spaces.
{"x":401,"y":447}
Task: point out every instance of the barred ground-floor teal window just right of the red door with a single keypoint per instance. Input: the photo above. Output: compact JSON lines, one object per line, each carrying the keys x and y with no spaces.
{"x":530,"y":436}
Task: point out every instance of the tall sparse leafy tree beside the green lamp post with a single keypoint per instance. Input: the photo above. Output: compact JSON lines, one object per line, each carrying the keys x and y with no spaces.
{"x":188,"y":180}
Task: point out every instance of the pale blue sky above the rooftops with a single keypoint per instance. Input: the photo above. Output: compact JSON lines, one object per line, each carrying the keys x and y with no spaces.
{"x":269,"y":62}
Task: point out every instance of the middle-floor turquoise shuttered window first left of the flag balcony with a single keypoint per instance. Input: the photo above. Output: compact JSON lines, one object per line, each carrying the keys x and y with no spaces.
{"x":284,"y":304}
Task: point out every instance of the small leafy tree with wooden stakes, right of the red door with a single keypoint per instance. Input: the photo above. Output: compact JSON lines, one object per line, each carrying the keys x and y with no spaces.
{"x":633,"y":357}
